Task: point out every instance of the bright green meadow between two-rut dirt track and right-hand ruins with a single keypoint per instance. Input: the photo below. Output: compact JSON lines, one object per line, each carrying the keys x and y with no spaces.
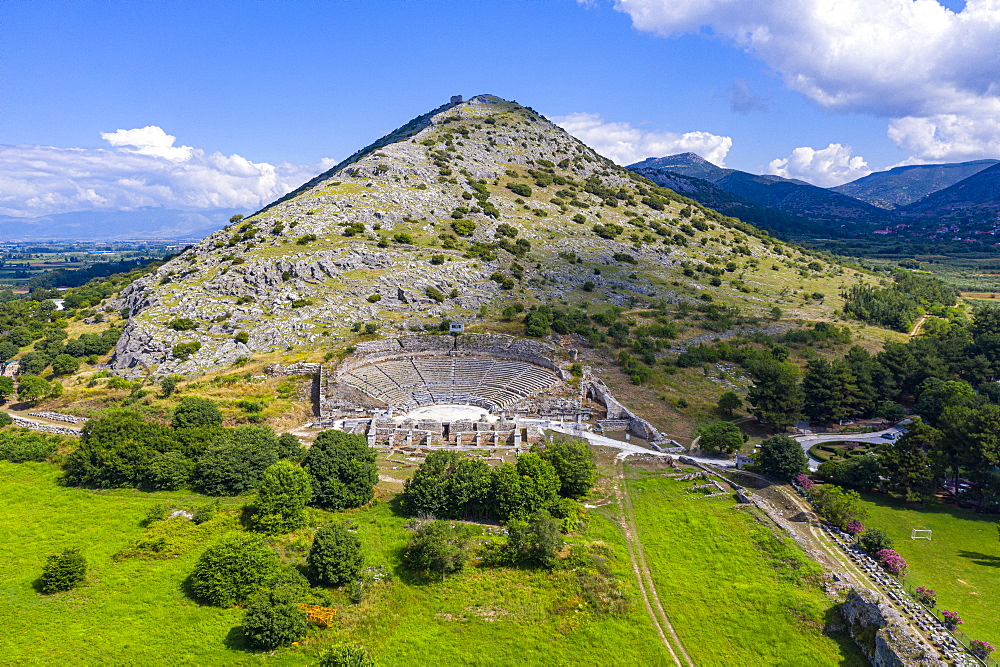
{"x":735,"y":593}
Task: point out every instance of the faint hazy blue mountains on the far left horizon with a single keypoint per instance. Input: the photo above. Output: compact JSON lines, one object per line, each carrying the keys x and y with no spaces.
{"x":145,"y":223}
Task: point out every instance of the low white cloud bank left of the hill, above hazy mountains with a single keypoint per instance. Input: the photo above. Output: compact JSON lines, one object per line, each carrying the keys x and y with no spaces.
{"x":144,"y":169}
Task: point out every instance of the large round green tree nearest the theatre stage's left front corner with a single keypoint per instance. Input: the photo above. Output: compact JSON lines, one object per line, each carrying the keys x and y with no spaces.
{"x":342,"y":468}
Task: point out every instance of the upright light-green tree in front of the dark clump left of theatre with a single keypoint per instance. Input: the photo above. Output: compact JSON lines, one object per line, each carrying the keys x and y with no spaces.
{"x":282,"y":496}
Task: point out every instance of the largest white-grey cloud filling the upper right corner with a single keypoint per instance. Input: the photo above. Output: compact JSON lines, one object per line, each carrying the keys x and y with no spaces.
{"x":898,"y":59}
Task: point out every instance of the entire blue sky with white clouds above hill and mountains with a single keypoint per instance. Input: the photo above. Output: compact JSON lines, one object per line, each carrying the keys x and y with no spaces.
{"x":259,"y":95}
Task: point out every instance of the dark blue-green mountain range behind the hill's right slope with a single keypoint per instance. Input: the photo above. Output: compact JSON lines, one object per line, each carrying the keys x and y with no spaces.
{"x":959,"y":200}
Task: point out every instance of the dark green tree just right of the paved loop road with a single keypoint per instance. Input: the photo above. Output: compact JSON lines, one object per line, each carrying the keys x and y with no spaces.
{"x":913,"y":464}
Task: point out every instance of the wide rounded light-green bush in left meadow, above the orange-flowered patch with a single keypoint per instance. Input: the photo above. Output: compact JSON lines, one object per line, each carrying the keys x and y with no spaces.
{"x":232,"y":571}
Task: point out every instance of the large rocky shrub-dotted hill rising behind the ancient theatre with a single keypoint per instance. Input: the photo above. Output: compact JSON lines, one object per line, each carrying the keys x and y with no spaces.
{"x":464,"y":210}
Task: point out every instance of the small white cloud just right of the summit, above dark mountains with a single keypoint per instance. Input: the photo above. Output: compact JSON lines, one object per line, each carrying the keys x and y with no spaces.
{"x":626,"y":144}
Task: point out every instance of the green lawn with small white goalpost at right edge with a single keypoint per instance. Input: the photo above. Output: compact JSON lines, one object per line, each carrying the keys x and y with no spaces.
{"x":961,"y":561}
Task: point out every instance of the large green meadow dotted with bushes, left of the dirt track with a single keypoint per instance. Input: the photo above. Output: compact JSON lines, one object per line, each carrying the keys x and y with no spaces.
{"x":136,"y":612}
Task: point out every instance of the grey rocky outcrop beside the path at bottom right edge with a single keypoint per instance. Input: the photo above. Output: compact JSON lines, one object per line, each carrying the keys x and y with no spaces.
{"x":883,"y":633}
